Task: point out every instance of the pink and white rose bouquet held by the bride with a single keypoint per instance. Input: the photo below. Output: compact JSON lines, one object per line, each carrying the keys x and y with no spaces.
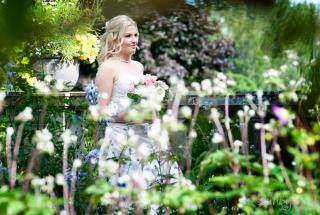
{"x":148,"y":87}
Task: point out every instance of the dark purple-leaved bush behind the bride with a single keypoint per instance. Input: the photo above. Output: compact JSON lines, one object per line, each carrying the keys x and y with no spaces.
{"x":179,"y":45}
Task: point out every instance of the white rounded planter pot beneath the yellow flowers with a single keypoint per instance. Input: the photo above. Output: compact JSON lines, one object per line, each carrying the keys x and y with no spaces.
{"x":68,"y":71}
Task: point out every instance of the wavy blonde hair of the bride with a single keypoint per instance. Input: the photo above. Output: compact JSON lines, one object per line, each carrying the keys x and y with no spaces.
{"x":111,"y":40}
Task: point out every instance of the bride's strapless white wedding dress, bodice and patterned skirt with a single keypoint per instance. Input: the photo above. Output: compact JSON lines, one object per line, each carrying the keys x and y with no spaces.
{"x":130,"y":144}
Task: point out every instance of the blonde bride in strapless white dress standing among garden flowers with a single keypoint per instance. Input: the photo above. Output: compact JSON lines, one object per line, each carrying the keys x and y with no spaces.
{"x":116,"y":73}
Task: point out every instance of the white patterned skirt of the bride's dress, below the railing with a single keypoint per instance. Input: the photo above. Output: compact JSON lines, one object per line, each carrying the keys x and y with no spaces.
{"x":130,"y":146}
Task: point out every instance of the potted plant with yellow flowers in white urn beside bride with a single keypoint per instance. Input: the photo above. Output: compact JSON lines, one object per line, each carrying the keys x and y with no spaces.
{"x":63,"y":35}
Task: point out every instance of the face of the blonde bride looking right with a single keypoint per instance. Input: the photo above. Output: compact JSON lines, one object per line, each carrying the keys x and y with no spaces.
{"x":130,"y":40}
